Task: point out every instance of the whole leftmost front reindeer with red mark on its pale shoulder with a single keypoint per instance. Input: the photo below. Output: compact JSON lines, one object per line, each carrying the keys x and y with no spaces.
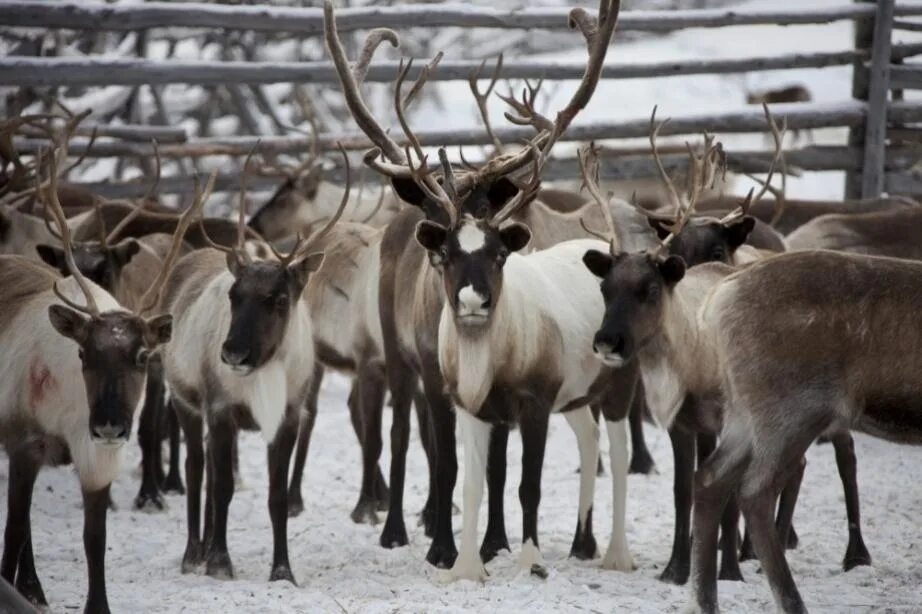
{"x":73,"y":377}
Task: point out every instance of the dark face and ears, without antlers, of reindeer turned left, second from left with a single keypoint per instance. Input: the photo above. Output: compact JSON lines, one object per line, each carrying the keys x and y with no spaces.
{"x":262,"y":298}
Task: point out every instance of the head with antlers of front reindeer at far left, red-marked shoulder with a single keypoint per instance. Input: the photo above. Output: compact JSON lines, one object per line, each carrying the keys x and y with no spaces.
{"x":113,"y":346}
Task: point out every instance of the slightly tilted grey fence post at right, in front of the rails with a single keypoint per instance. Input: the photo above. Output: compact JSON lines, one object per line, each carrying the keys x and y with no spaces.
{"x":875,"y":136}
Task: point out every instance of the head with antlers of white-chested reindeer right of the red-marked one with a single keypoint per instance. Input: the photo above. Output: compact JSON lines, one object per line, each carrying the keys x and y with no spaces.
{"x":265,"y":293}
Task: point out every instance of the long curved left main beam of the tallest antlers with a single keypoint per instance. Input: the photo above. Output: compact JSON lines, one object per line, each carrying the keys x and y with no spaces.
{"x":352,"y":91}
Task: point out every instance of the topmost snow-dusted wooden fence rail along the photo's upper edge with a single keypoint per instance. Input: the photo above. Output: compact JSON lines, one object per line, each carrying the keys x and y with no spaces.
{"x":309,"y":21}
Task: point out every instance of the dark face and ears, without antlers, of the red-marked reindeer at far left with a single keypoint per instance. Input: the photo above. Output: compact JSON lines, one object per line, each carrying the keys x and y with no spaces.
{"x":114,"y":348}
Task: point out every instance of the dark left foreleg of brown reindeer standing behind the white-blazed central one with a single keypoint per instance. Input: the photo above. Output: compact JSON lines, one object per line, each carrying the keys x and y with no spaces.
{"x":402,"y":383}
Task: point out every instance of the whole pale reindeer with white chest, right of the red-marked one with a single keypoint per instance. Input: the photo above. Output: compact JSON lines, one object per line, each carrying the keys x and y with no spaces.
{"x":243,"y":358}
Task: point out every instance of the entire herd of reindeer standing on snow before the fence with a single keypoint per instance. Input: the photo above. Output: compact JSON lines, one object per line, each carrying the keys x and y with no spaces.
{"x":748,"y":327}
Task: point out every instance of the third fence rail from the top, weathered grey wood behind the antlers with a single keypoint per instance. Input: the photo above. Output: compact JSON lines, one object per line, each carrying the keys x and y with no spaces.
{"x":798,"y":116}
